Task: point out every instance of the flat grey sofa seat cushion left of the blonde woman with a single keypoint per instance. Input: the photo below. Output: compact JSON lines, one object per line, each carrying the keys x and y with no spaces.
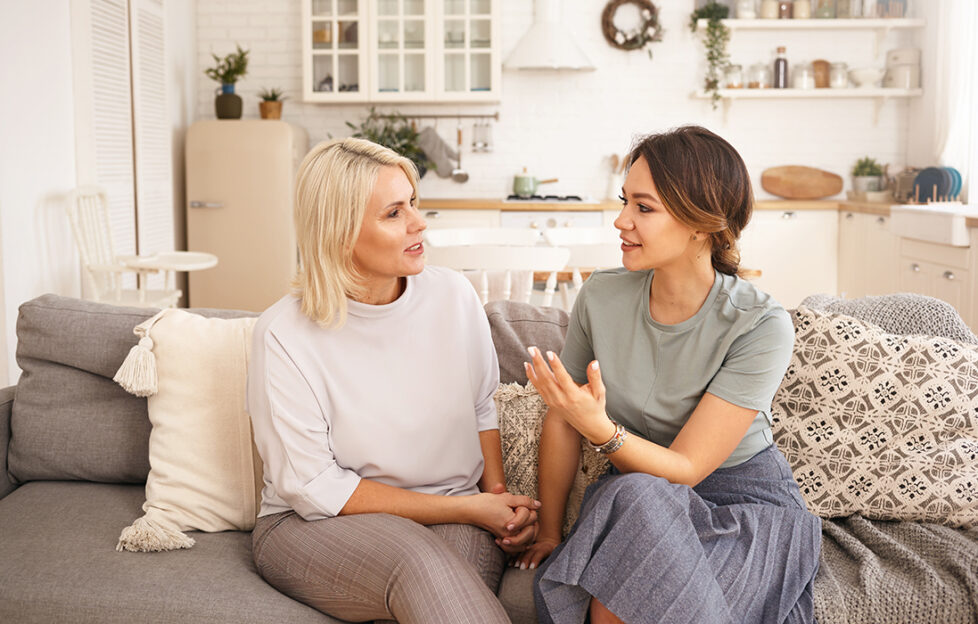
{"x":59,"y":565}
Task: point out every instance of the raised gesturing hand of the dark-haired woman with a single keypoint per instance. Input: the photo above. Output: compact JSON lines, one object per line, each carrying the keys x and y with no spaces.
{"x":583,"y":407}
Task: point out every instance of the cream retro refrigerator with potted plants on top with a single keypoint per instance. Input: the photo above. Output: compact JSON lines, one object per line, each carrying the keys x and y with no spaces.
{"x":240,"y":176}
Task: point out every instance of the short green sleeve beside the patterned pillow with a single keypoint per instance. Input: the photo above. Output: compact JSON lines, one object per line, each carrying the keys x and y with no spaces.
{"x":755,"y":364}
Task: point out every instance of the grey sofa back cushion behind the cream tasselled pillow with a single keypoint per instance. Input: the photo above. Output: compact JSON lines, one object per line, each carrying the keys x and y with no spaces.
{"x":70,"y":420}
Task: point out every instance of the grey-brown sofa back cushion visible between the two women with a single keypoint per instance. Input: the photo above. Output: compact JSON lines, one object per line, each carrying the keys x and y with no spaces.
{"x":516,"y":326}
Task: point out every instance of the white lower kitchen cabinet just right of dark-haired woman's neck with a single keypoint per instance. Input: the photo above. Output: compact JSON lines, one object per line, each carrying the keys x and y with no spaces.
{"x":796,"y":252}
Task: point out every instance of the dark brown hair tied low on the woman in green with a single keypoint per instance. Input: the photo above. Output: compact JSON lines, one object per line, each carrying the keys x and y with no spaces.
{"x":703,"y":182}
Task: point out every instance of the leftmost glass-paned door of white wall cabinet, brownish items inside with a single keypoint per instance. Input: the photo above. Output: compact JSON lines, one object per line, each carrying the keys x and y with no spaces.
{"x":335,"y":52}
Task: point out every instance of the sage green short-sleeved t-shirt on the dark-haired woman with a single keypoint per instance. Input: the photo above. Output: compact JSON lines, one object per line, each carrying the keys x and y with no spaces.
{"x":736,"y":347}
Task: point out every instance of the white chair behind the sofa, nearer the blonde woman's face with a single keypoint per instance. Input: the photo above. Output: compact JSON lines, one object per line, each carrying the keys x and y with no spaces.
{"x":513,"y":253}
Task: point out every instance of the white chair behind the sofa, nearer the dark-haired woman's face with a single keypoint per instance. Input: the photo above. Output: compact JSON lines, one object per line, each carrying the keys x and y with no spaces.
{"x":590,"y":248}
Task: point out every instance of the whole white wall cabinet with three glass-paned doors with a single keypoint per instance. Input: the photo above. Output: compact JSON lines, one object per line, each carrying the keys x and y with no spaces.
{"x":401,"y":50}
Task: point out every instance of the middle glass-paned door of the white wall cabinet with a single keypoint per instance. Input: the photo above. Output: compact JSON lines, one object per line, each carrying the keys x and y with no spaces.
{"x":401,"y":39}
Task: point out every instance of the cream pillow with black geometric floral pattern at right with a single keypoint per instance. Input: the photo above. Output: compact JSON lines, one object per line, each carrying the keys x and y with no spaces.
{"x":880,"y":425}
